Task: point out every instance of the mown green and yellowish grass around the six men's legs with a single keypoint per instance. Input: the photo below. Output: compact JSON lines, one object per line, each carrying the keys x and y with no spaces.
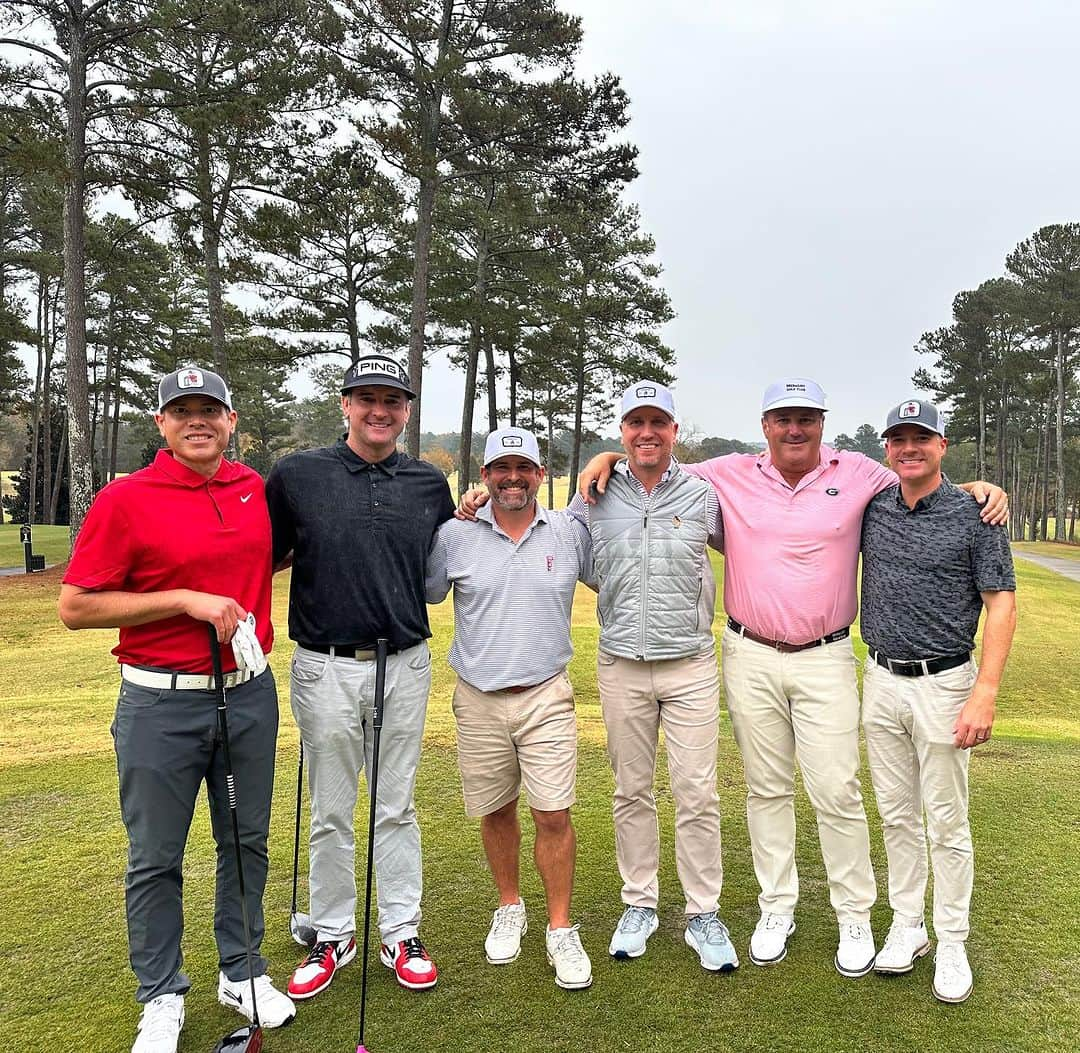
{"x":64,"y":976}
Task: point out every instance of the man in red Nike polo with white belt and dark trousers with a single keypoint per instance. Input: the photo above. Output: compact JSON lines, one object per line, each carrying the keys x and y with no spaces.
{"x":165,"y":551}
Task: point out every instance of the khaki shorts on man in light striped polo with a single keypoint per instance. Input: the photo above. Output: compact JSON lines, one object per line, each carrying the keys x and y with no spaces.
{"x":508,"y":741}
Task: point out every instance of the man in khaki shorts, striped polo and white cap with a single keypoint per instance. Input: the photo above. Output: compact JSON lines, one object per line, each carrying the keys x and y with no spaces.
{"x":515,"y":571}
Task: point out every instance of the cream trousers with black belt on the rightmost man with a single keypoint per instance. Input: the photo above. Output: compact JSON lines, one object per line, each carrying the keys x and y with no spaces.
{"x":917,"y":769}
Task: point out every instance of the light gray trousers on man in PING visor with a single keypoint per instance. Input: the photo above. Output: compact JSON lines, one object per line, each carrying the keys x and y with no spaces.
{"x":332,"y":703}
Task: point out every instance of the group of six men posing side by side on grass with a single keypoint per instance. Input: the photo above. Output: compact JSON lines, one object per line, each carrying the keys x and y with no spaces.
{"x":371,"y":536}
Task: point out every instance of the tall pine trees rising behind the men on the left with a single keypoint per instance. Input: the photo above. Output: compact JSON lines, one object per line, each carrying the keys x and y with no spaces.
{"x":260,"y":185}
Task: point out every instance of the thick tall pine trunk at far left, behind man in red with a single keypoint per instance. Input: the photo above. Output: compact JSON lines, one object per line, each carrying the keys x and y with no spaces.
{"x":82,"y":484}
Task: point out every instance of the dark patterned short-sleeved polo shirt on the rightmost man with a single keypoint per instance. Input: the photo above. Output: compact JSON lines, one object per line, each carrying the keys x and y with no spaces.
{"x":924,"y":570}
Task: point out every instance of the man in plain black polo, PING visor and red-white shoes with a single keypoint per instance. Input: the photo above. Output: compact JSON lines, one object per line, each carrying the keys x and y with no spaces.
{"x":359,"y":519}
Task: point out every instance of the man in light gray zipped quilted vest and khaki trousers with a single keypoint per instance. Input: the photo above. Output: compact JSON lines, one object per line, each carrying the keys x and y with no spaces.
{"x":657,"y":667}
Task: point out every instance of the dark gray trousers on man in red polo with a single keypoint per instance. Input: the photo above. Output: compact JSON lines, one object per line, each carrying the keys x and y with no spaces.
{"x":167,"y":746}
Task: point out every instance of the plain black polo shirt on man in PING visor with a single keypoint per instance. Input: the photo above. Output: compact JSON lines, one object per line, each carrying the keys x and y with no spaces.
{"x":360,"y":536}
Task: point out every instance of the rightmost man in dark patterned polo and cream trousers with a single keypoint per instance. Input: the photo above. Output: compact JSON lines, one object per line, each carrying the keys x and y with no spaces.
{"x":930,"y":568}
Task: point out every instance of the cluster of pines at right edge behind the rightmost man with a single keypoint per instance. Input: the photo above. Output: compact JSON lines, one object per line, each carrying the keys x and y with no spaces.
{"x":1007,"y":364}
